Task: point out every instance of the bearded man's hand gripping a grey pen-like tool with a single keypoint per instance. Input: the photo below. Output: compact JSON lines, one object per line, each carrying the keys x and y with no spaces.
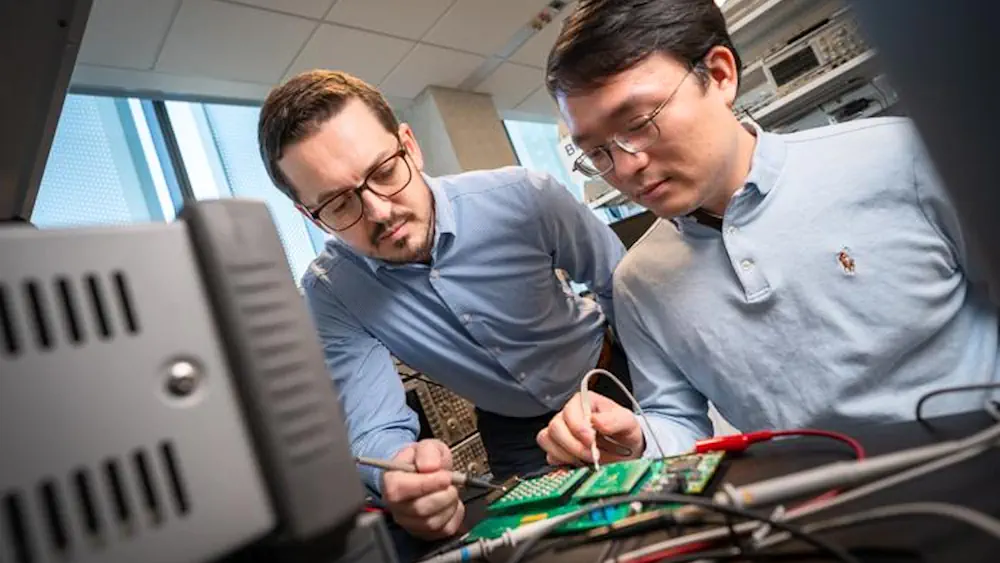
{"x":425,"y":503}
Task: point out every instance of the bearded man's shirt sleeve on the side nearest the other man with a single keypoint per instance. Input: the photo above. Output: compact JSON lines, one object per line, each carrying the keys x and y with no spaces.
{"x":579,"y":242}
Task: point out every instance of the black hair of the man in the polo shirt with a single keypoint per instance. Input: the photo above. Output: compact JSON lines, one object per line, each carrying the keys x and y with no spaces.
{"x":602,"y":38}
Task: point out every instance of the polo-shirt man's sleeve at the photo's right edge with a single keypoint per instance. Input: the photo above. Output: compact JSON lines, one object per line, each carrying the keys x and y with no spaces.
{"x":940,"y":212}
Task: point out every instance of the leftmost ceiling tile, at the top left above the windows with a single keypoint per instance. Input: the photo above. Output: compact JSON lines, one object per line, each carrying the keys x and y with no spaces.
{"x":126,"y":33}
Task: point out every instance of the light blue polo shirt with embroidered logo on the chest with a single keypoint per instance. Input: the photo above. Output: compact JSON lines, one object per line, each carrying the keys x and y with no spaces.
{"x":841,"y":287}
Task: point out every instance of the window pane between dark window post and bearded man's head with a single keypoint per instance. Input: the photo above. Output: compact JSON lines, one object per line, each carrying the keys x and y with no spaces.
{"x":218,"y":144}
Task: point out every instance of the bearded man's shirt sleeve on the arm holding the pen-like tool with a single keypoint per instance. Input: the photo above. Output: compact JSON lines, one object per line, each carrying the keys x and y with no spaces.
{"x":379,"y":422}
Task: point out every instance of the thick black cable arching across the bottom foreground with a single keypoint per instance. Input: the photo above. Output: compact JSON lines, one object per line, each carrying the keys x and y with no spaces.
{"x":662,"y":498}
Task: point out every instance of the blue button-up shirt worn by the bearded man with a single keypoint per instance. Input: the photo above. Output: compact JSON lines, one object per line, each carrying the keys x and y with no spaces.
{"x":487,"y":317}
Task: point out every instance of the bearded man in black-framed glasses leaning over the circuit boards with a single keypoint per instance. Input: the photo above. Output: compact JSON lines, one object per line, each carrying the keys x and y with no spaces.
{"x":455,"y":276}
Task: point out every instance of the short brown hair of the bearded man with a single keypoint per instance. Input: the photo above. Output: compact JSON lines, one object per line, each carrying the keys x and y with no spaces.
{"x":297,"y":109}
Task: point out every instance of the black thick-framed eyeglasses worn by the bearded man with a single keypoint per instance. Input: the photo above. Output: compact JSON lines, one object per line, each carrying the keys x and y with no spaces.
{"x":344,"y":210}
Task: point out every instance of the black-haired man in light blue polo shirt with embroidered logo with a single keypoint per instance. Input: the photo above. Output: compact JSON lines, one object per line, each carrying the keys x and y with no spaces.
{"x":792,"y":280}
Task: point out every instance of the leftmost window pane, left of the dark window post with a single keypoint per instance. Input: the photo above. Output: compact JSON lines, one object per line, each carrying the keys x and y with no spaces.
{"x":101,"y":168}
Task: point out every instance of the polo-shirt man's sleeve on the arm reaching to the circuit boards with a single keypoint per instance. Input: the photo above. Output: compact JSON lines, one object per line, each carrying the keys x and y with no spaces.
{"x":676,"y":412}
